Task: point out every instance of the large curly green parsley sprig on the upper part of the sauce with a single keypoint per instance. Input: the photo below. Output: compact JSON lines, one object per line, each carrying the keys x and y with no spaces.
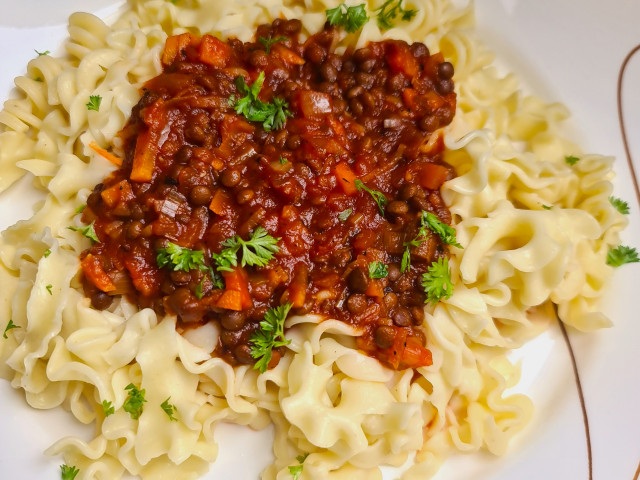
{"x":272,"y":115}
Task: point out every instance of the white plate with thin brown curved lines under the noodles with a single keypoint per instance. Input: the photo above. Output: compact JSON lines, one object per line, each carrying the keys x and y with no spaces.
{"x":568,"y":51}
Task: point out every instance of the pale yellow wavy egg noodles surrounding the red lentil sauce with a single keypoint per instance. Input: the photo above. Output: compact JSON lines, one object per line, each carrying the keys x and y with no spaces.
{"x":534,"y":228}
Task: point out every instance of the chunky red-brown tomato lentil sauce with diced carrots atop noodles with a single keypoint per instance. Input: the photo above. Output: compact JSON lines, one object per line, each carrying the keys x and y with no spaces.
{"x":196,"y":173}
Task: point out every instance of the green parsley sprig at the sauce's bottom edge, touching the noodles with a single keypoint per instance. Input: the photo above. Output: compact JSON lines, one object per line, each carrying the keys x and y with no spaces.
{"x":270,"y":335}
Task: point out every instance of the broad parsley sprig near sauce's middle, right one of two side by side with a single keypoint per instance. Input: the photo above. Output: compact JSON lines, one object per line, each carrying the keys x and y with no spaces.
{"x":257,"y":251}
